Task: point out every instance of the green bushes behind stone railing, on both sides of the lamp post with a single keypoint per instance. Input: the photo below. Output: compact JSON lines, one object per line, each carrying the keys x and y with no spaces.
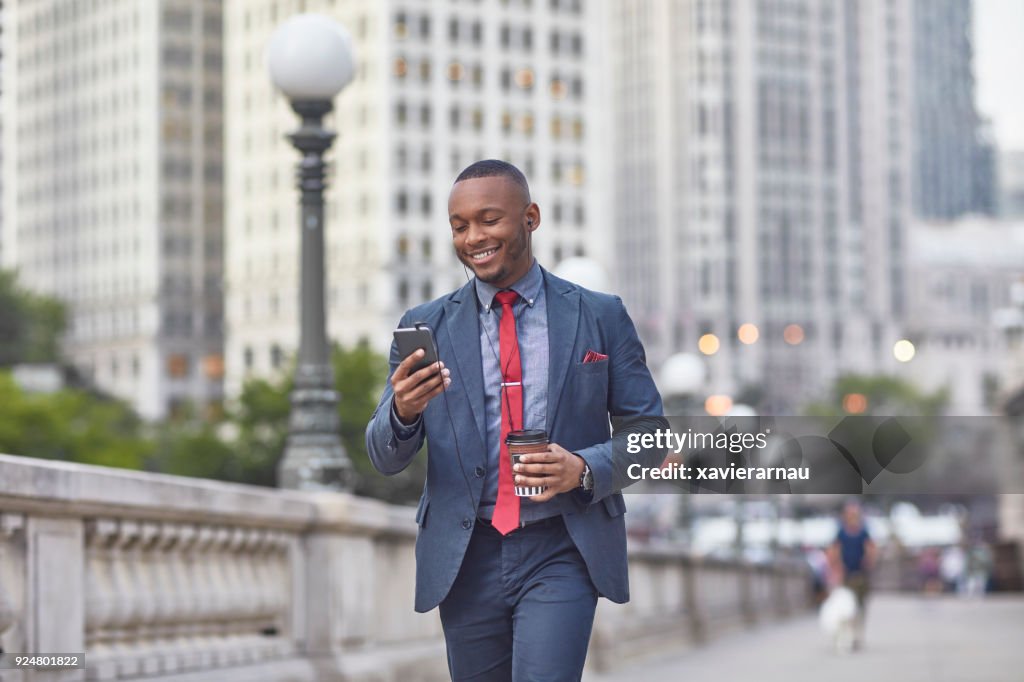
{"x":245,"y":445}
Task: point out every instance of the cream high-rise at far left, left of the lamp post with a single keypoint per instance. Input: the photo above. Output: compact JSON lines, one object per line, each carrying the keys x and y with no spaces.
{"x":113,"y":188}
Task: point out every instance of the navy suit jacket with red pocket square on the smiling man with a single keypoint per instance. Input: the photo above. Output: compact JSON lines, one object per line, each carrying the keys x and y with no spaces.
{"x":582,"y":398}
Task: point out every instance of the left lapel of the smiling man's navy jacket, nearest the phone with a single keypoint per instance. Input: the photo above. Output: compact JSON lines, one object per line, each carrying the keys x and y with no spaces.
{"x":464,"y":337}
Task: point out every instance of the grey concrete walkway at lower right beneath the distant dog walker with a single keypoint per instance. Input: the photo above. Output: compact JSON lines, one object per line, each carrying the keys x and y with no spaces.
{"x":910,"y":640}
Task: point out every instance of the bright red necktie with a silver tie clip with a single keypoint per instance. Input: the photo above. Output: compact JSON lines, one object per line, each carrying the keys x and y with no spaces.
{"x":506,"y":519}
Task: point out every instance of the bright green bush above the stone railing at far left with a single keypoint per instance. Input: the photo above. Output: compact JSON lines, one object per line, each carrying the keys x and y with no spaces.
{"x":70,"y":425}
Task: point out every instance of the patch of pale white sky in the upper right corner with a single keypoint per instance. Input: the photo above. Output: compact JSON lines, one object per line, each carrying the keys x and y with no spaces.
{"x":999,"y":68}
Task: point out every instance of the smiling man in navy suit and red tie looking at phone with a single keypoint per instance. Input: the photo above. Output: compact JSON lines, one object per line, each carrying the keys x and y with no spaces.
{"x":518,"y":580}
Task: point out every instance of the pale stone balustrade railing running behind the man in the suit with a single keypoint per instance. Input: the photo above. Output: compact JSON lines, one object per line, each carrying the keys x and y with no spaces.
{"x":165,"y":578}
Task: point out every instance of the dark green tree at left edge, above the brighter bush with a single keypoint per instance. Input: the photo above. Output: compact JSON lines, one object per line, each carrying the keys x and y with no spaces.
{"x":30,"y":325}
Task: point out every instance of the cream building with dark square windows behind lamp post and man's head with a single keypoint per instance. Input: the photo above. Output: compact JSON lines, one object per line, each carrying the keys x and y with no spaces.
{"x":439,"y":86}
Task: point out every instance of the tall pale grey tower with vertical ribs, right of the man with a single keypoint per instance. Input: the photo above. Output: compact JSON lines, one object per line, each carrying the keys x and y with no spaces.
{"x":762,"y":186}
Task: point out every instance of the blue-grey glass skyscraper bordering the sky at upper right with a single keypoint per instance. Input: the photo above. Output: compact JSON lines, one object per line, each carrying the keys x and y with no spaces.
{"x":954,"y":162}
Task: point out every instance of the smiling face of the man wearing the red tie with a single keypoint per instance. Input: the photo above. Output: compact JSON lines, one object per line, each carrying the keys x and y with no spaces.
{"x":491,"y":225}
